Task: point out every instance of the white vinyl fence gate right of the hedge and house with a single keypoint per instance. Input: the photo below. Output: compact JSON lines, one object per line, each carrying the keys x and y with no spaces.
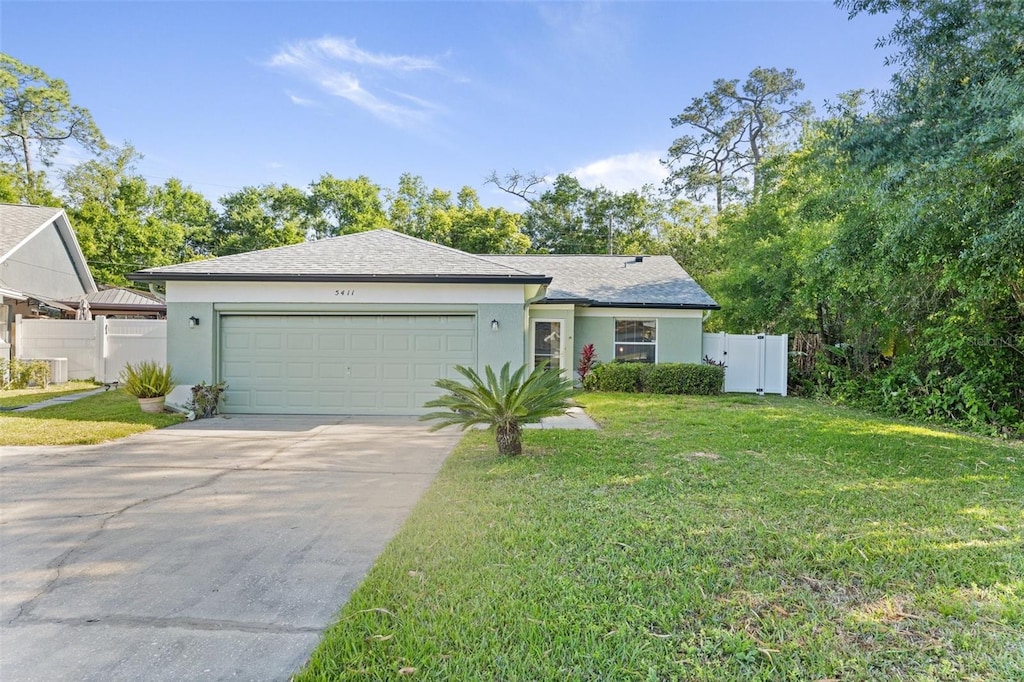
{"x":754,"y":363}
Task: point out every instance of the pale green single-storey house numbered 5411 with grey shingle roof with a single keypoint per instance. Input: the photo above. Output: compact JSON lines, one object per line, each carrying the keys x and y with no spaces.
{"x":366,"y":323}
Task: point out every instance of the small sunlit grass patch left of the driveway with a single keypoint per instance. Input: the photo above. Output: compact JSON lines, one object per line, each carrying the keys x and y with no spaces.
{"x":95,"y":419}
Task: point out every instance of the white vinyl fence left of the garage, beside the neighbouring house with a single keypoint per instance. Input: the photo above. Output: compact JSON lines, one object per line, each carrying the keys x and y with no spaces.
{"x":95,"y":350}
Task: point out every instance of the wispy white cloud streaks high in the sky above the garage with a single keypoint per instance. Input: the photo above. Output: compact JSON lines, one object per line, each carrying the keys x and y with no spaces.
{"x":339,"y":68}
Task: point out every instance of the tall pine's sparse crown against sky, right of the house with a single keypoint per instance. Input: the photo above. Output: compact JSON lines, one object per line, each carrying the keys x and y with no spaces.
{"x":735,"y":130}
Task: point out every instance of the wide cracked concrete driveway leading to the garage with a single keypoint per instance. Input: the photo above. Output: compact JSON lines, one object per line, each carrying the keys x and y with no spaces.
{"x":208,"y":551}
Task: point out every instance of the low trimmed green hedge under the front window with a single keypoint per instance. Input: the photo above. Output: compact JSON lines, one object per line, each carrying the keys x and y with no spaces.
{"x":673,"y":378}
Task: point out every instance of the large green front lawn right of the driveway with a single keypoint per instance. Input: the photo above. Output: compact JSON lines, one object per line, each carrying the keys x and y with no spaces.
{"x":703,"y":539}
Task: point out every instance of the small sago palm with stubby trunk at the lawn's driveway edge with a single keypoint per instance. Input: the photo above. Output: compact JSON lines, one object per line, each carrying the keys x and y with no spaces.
{"x":505,"y":402}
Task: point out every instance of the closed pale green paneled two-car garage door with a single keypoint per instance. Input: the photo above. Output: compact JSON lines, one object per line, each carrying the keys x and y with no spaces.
{"x":340,"y":365}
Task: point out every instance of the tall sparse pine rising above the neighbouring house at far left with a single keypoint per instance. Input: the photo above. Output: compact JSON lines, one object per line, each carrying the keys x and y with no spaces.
{"x":38,"y":119}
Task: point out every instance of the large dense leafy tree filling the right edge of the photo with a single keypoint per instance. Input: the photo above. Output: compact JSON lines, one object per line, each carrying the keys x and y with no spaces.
{"x":948,"y":154}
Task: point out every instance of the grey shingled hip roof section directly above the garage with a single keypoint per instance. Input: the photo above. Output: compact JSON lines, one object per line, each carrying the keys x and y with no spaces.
{"x":379,"y":255}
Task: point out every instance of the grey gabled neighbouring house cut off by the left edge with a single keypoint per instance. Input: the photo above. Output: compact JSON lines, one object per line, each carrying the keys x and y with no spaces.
{"x":41,"y":265}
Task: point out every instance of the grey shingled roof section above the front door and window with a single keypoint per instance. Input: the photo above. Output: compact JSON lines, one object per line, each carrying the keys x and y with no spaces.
{"x":656,"y":282}
